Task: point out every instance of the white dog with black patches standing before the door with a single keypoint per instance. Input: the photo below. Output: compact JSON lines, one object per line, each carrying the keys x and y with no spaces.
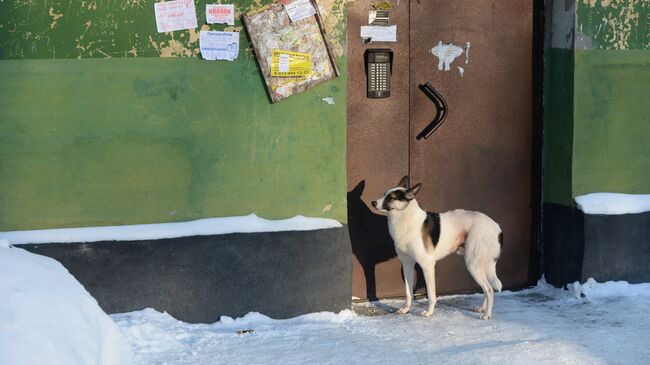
{"x":428,"y":237}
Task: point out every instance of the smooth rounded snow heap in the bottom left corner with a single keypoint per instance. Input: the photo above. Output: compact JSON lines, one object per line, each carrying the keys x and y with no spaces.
{"x":47,"y":317}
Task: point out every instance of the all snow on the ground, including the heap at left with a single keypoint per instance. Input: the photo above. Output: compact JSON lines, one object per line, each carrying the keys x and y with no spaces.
{"x":46,"y":316}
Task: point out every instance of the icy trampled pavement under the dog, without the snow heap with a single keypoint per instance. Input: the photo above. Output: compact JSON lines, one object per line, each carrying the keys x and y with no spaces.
{"x":543,"y":325}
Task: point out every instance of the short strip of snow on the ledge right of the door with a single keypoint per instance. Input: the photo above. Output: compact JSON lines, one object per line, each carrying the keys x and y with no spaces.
{"x":613,"y":203}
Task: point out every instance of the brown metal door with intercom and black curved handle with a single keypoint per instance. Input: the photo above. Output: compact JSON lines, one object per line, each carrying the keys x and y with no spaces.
{"x":480,"y":158}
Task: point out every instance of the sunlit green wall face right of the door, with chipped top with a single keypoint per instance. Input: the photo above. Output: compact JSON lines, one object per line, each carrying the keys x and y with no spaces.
{"x":612,"y":88}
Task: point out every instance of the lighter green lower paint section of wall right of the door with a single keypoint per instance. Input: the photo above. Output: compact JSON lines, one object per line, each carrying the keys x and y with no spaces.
{"x":612,"y":122}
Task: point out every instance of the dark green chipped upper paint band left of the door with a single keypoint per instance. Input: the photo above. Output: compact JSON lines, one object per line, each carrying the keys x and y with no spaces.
{"x":118,"y":28}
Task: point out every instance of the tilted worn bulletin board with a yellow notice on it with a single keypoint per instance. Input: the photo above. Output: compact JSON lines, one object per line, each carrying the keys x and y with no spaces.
{"x":270,"y":28}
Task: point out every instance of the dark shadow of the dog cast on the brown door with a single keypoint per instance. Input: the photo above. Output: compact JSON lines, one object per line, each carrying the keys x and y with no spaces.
{"x":371,"y":242}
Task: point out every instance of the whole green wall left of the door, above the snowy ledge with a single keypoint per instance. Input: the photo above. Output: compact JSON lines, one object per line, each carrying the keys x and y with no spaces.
{"x":143,"y":138}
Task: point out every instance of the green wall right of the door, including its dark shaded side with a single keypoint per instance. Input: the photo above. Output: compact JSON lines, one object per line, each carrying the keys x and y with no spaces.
{"x":597,"y":114}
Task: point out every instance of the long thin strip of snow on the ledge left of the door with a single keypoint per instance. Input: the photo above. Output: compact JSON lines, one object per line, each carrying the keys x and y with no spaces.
{"x":209,"y":226}
